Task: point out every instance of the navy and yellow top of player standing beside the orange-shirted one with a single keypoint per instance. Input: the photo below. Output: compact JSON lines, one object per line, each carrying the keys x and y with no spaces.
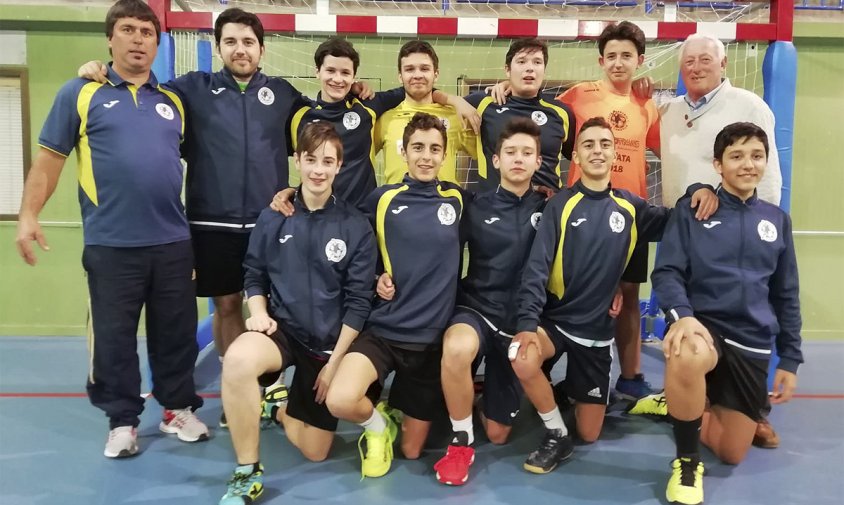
{"x":556,"y":124}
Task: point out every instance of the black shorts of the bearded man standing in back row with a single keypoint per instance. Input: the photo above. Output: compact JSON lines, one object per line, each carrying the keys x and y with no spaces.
{"x":218,"y":261}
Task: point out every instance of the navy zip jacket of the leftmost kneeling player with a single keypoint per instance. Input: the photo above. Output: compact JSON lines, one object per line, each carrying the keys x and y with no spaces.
{"x":316,"y":268}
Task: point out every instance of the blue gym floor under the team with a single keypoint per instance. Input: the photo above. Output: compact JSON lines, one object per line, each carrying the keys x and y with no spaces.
{"x":51,"y":443}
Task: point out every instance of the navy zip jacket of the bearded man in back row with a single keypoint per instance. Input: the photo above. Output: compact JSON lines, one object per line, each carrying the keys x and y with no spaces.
{"x":235,"y":146}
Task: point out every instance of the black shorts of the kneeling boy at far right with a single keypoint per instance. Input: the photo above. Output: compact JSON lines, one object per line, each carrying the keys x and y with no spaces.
{"x":737,"y":382}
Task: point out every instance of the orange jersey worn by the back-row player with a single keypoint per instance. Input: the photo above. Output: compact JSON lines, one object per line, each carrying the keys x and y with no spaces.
{"x":635,"y":124}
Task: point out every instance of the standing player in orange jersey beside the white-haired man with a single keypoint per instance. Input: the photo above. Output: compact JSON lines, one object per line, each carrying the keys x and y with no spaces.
{"x":635,"y":123}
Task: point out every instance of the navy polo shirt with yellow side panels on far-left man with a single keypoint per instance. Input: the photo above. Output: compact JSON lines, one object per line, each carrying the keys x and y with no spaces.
{"x":127,"y":146}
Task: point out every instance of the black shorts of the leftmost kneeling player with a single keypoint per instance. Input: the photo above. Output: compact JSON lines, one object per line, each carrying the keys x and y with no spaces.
{"x":301,"y":397}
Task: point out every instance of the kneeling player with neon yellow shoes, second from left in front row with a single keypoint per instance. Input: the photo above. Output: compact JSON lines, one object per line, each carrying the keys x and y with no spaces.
{"x":417,"y":225}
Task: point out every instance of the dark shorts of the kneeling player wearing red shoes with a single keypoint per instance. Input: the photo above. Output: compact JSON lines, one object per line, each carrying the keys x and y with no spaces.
{"x":503,"y":391}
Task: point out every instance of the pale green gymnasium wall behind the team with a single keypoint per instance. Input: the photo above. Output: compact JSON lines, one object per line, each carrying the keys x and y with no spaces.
{"x":50,"y":299}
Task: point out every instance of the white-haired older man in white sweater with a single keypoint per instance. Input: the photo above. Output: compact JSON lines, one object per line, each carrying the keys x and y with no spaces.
{"x":689,"y":123}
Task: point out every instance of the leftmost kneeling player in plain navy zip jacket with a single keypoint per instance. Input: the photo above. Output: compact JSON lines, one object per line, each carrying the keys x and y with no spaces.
{"x":316,"y":268}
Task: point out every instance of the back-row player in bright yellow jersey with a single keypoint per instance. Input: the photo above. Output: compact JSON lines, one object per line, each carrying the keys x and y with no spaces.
{"x":418,"y":70}
